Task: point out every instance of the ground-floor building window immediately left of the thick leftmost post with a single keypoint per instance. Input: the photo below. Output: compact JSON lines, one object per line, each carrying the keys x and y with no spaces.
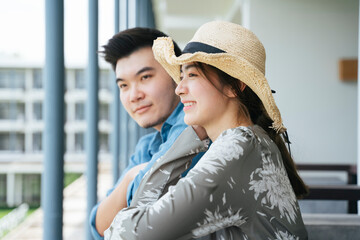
{"x":31,"y":189}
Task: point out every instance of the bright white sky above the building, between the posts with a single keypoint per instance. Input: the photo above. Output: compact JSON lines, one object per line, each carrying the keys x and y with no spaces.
{"x":22,"y":29}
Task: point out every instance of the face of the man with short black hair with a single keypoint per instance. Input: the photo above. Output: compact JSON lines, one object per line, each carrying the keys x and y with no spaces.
{"x":146,"y":90}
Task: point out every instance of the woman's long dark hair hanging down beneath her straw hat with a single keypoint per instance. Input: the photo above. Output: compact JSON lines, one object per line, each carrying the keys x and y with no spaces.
{"x":251,"y":105}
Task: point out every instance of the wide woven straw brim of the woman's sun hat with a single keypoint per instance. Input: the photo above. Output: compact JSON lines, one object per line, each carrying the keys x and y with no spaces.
{"x":235,"y":66}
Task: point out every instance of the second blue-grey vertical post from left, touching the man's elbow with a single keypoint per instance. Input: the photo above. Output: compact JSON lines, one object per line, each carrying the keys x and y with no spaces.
{"x":92,"y":113}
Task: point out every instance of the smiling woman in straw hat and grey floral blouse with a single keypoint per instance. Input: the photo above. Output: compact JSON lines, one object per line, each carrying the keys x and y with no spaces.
{"x":246,"y":185}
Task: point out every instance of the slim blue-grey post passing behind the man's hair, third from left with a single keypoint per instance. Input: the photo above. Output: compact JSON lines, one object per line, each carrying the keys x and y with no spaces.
{"x":115,"y":111}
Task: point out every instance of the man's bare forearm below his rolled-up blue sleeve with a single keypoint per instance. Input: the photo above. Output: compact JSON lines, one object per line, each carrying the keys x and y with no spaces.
{"x":116,"y":201}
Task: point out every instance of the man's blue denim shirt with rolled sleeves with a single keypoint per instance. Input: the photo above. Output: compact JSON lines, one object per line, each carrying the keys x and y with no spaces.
{"x":148,"y":149}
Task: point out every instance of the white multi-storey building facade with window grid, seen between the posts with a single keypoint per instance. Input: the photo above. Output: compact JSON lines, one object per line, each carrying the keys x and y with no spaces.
{"x":22,"y":125}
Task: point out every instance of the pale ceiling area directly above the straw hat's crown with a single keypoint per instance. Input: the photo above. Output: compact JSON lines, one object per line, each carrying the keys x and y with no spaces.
{"x":180,"y":18}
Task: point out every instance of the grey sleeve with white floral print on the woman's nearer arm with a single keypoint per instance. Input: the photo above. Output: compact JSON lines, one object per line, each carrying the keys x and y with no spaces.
{"x":192,"y":207}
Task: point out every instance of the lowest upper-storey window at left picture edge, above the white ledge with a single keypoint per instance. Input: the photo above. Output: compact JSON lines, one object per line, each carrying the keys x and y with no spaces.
{"x":11,"y":141}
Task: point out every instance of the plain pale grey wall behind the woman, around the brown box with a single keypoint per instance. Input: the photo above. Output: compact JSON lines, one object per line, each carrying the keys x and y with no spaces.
{"x":304,"y":40}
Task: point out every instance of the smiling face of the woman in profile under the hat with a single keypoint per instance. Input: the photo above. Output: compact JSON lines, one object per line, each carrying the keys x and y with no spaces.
{"x":203,"y":97}
